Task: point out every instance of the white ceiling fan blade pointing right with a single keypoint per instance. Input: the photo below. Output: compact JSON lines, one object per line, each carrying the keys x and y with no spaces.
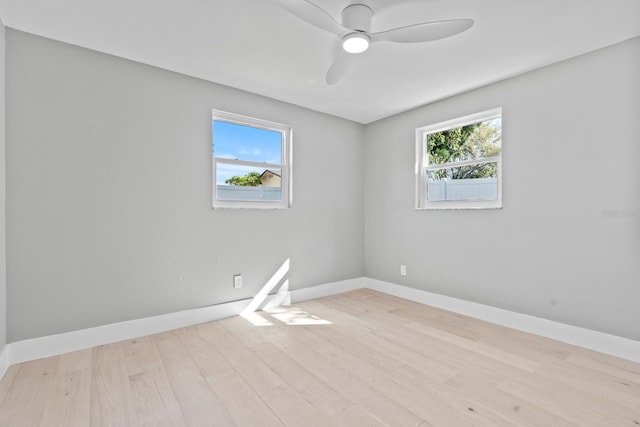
{"x":424,"y":32}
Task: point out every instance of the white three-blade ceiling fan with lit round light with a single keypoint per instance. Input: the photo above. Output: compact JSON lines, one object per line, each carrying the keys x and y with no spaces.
{"x":355,"y":31}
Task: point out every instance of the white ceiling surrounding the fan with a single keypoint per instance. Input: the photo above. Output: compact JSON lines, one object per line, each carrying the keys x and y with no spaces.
{"x":258,"y":46}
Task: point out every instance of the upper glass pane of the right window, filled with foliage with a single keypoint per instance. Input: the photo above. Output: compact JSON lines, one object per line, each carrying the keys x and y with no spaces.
{"x":469,"y":142}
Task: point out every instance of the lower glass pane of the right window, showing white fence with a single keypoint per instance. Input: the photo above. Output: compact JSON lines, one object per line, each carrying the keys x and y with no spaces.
{"x":475,"y":182}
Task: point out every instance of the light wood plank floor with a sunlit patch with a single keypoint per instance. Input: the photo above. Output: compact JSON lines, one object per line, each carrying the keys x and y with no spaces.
{"x":380,"y":361}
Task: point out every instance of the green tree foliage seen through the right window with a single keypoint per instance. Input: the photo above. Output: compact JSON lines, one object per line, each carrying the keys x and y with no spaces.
{"x":469,"y":142}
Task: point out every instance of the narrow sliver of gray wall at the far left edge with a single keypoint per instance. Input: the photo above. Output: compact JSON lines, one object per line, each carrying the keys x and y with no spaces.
{"x":3,"y":253}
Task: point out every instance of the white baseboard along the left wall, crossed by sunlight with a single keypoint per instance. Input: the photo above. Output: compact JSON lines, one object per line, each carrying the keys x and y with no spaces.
{"x":53,"y":345}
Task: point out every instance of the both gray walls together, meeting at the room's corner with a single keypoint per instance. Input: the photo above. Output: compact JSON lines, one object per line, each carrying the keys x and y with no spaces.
{"x":109,"y":189}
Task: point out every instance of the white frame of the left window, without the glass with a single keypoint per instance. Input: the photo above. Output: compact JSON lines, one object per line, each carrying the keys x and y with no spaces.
{"x":285,"y":166}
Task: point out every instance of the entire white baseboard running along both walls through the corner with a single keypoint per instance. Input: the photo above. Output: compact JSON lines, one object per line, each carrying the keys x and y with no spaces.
{"x":53,"y":345}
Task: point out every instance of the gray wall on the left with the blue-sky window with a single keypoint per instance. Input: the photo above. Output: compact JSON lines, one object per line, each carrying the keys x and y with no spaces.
{"x":109,"y":193}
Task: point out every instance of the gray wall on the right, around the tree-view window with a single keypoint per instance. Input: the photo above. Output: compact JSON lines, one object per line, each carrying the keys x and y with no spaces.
{"x":559,"y":249}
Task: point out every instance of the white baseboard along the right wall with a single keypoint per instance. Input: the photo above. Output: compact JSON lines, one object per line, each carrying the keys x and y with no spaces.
{"x":598,"y":341}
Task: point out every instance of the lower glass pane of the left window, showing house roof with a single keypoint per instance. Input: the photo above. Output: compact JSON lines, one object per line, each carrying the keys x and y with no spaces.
{"x":247,"y":183}
